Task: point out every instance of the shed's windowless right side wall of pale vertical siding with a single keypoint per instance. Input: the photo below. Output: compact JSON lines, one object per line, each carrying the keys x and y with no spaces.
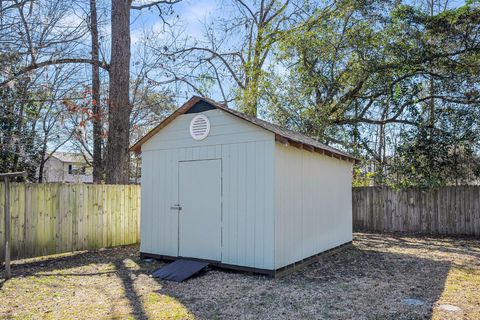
{"x":313,"y":207}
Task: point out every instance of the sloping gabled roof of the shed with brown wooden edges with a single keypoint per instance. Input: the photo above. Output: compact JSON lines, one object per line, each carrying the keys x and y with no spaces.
{"x":281,"y":134}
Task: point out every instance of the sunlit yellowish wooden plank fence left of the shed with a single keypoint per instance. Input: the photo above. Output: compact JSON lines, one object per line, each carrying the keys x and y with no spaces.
{"x":55,"y":218}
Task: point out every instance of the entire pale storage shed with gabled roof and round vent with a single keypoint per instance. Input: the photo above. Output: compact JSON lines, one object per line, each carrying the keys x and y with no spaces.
{"x":240,"y":192}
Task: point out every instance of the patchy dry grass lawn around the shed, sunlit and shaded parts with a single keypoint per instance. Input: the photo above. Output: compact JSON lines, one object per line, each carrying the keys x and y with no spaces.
{"x":371,"y":280}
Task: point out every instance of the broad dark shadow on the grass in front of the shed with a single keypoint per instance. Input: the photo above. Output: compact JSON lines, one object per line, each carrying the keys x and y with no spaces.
{"x":351,"y":284}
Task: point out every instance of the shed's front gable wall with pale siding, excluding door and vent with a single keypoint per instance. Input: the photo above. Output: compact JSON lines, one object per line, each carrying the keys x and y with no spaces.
{"x":247,"y":154}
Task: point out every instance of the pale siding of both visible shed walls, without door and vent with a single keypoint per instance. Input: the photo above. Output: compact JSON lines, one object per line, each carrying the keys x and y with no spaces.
{"x":279,"y":204}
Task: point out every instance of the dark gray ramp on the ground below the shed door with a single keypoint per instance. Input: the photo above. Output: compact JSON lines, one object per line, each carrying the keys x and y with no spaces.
{"x":179,"y":270}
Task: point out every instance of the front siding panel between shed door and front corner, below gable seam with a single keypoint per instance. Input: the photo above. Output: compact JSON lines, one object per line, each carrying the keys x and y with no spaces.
{"x":248,"y":204}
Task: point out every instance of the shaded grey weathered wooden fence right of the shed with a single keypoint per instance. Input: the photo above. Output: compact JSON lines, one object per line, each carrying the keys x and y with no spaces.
{"x":449,"y":210}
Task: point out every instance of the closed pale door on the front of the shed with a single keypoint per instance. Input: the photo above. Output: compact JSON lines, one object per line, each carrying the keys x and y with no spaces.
{"x":200,"y":219}
